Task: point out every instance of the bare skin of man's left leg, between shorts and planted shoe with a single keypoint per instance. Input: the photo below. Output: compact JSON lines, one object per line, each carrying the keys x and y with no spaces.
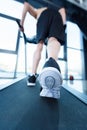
{"x":37,"y":57}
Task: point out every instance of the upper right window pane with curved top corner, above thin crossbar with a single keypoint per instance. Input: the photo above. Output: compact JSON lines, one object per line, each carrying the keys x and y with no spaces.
{"x":74,"y":36}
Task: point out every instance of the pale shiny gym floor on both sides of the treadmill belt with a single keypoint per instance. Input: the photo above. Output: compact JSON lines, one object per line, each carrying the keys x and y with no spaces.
{"x":76,"y":87}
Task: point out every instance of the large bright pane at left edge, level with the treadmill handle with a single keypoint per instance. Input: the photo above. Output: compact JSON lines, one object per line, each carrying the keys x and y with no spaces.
{"x":8,"y":34}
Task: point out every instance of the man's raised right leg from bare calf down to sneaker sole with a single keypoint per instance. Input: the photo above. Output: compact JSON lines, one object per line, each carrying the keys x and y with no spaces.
{"x":50,"y":77}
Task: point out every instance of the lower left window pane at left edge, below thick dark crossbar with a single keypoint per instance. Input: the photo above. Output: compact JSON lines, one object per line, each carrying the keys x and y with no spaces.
{"x":7,"y":65}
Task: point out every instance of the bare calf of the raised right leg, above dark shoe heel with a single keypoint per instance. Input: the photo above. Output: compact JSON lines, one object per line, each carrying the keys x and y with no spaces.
{"x":53,"y":48}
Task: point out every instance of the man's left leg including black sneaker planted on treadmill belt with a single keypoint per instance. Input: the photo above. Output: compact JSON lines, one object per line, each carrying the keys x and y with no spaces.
{"x":36,"y":58}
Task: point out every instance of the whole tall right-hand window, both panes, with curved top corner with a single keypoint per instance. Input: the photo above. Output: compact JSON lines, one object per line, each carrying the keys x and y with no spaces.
{"x":75,"y":61}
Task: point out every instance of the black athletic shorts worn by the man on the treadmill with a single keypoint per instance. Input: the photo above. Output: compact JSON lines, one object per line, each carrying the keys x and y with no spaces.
{"x":50,"y":24}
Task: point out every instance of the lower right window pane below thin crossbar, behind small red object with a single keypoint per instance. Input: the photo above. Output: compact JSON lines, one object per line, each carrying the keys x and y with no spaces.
{"x":75,"y":63}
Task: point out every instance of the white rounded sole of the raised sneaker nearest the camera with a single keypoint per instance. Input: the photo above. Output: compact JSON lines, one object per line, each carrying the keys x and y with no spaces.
{"x":50,"y":80}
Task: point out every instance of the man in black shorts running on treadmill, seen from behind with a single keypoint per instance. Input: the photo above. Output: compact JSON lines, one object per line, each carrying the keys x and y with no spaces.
{"x":50,"y":26}
